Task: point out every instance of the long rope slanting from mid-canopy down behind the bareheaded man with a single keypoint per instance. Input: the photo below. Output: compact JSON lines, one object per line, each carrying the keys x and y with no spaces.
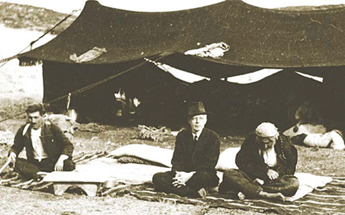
{"x":90,"y":86}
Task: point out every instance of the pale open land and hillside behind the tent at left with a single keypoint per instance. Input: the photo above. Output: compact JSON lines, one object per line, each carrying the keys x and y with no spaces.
{"x":19,"y":26}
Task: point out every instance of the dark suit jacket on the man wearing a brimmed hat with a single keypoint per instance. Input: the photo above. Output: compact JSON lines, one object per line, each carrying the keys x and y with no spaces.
{"x":203,"y":157}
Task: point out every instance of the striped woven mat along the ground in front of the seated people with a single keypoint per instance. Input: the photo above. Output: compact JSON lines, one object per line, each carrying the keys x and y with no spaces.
{"x":326,"y":200}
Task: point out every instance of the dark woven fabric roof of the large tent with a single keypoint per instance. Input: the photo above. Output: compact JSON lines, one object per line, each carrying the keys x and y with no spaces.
{"x":257,"y":37}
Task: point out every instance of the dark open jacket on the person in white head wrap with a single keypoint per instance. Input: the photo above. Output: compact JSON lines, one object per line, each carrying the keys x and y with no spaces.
{"x":252,"y":163}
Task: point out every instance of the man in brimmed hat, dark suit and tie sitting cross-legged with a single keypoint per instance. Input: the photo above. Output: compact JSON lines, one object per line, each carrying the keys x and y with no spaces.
{"x":194,"y":159}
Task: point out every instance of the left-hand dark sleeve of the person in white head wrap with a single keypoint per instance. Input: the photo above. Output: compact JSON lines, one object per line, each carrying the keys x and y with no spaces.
{"x":249,"y":161}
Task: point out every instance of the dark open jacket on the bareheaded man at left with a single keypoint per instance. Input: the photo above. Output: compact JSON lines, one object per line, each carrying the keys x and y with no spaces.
{"x":53,"y":140}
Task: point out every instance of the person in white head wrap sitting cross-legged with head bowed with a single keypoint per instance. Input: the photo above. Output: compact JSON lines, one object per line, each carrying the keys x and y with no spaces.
{"x":267,"y":163}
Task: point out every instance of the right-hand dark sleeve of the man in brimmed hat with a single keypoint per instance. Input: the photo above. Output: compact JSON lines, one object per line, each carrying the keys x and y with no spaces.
{"x":209,"y":162}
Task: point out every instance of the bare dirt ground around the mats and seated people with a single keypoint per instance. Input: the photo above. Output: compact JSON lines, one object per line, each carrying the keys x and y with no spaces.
{"x":15,"y":201}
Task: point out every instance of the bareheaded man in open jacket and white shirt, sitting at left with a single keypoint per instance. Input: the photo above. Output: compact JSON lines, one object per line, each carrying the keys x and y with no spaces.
{"x":47,"y":148}
